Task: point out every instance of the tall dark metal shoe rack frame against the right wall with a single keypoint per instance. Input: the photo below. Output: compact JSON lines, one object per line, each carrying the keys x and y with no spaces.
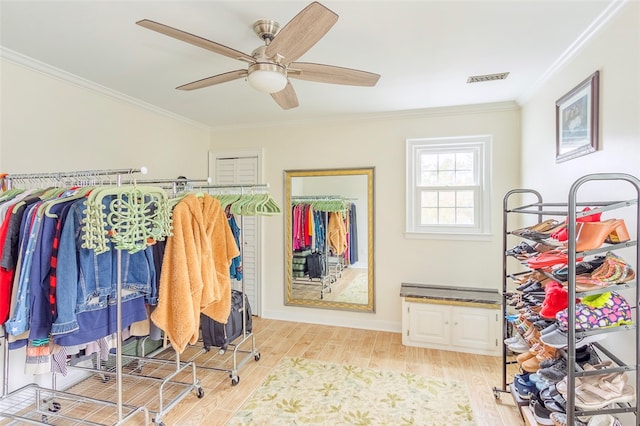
{"x":572,"y":211}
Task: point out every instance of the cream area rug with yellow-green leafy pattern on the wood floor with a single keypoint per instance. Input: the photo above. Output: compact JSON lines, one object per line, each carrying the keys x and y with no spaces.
{"x":300,"y":391}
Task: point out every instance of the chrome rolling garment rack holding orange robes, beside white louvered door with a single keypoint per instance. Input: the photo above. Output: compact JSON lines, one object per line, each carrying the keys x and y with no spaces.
{"x":247,"y":336}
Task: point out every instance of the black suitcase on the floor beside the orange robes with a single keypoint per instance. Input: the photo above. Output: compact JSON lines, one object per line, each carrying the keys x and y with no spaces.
{"x":220,"y":335}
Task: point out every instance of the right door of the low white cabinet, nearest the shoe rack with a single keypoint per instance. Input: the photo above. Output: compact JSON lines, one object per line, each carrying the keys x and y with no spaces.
{"x":475,"y":328}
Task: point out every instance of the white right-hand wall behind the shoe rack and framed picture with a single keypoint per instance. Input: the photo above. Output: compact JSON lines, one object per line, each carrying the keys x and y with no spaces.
{"x":615,"y":51}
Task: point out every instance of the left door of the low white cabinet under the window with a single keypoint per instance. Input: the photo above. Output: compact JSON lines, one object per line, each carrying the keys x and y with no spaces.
{"x":429,"y":323}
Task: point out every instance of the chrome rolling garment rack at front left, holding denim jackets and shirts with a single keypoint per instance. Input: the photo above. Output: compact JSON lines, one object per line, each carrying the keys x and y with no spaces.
{"x":144,"y":368}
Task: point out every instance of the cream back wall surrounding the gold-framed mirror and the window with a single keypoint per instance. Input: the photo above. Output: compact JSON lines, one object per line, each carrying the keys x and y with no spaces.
{"x":380,"y":142}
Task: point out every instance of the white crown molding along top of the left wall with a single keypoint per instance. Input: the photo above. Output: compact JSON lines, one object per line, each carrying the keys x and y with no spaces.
{"x":51,"y":71}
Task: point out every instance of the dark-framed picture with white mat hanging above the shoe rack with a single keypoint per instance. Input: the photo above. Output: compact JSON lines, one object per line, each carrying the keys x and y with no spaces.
{"x":577,"y":120}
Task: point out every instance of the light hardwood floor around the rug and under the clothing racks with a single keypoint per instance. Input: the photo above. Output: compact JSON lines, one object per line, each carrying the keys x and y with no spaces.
{"x":278,"y":339}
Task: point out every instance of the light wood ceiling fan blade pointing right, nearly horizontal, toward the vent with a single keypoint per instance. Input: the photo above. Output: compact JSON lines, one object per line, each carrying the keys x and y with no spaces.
{"x":331,"y":74}
